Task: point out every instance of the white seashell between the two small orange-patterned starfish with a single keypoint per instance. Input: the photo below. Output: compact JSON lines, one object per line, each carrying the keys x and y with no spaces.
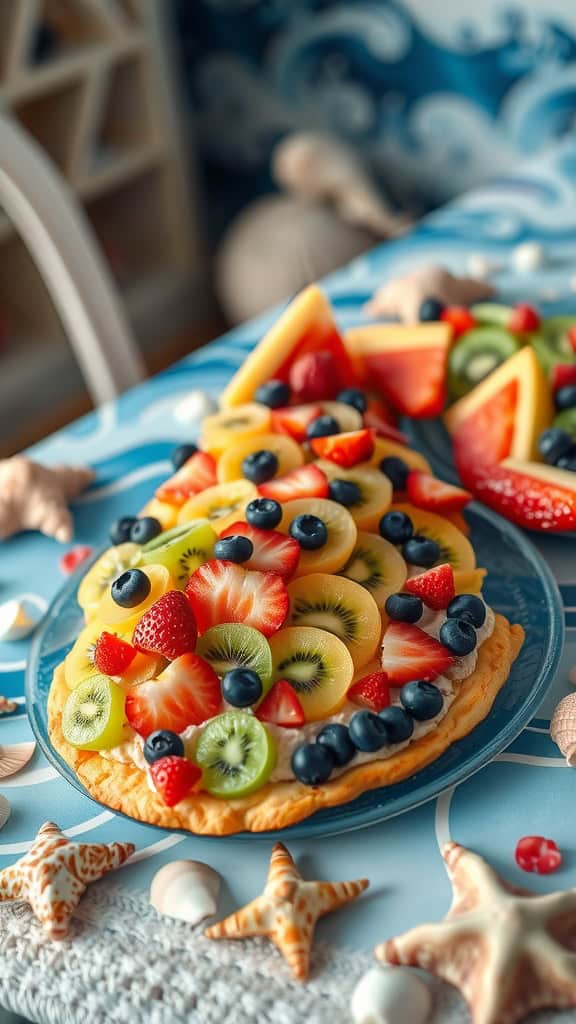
{"x":187,"y":890}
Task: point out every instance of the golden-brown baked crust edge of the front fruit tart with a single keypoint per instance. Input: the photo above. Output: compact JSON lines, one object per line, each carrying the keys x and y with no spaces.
{"x":125,"y":787}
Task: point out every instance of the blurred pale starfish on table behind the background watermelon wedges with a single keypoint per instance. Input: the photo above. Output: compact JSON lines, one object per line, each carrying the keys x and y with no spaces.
{"x":404,"y":296}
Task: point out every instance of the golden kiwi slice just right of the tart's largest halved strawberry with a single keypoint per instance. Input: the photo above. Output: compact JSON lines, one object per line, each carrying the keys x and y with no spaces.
{"x":340,"y":607}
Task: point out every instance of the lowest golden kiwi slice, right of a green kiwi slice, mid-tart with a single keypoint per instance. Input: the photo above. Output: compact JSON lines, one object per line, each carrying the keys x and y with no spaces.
{"x":317,"y":665}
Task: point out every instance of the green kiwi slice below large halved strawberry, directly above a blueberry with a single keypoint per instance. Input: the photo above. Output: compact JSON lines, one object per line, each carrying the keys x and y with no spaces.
{"x":233,"y":646}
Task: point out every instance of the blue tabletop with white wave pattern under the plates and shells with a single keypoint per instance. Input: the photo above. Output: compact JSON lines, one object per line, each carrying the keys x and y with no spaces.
{"x":529,"y":791}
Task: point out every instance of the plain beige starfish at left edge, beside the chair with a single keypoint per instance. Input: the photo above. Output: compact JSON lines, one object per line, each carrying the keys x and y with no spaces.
{"x":35,"y":497}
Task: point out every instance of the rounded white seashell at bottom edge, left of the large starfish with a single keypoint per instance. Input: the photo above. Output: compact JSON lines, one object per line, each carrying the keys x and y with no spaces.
{"x":391,"y":996}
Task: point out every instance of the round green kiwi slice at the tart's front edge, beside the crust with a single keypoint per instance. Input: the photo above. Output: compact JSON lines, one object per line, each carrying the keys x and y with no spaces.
{"x":237,"y":755}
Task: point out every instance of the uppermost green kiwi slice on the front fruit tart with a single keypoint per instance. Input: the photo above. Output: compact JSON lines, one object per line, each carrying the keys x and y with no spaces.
{"x":182,"y":549}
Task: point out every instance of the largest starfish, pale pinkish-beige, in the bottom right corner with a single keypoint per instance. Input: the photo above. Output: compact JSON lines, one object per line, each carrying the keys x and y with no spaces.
{"x":509,"y":951}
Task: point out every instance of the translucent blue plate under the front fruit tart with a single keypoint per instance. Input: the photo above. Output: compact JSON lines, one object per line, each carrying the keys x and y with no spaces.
{"x":519,"y":585}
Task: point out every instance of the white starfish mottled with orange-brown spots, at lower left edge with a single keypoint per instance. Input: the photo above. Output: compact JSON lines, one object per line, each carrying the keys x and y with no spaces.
{"x":55,"y":874}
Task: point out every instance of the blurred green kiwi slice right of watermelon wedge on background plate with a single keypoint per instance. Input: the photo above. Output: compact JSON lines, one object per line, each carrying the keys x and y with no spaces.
{"x":479,"y":353}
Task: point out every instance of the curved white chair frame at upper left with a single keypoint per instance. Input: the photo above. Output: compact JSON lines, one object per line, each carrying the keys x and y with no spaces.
{"x":62,"y":244}
